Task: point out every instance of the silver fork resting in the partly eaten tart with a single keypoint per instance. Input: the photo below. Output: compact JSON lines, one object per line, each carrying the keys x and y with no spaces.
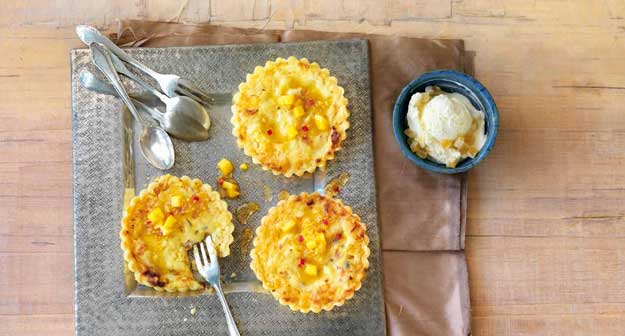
{"x":209,"y":269}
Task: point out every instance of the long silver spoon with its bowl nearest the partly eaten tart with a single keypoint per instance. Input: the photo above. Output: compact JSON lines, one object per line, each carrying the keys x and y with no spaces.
{"x":154,"y":142}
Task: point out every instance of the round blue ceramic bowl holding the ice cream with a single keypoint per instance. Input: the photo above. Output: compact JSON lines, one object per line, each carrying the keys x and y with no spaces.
{"x":448,"y":81}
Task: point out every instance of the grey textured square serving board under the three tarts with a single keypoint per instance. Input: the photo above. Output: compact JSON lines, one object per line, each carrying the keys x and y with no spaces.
{"x":101,"y":142}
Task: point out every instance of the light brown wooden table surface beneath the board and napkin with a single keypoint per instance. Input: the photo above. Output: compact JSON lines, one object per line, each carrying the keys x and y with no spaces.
{"x":546,"y":225}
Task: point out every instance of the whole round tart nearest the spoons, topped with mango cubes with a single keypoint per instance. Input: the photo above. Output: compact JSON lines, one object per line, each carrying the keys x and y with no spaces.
{"x":290,"y":116}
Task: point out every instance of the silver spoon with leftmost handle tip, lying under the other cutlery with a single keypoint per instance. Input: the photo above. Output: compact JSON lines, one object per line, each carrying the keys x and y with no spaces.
{"x":179,"y":125}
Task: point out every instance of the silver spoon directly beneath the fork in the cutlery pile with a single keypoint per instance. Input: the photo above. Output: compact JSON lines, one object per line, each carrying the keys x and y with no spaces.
{"x":175,"y":106}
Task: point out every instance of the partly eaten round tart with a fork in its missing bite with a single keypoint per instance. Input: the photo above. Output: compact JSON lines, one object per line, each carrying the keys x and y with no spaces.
{"x":164,"y":222}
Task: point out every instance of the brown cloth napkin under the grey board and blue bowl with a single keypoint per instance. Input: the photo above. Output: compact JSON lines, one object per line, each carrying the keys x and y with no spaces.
{"x":426,"y":292}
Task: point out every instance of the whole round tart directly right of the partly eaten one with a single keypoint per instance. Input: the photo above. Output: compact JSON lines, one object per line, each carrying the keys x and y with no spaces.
{"x":311,"y":252}
